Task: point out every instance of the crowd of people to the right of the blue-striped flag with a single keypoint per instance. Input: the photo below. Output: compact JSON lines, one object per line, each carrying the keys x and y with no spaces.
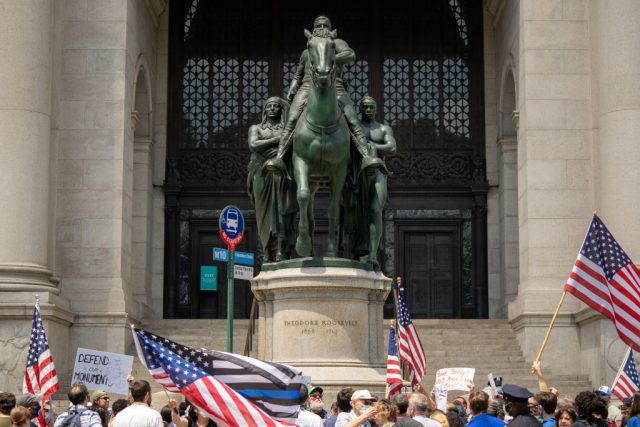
{"x":509,"y":405}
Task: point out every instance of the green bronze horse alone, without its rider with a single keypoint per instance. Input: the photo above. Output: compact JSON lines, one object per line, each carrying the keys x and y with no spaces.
{"x":321,"y":146}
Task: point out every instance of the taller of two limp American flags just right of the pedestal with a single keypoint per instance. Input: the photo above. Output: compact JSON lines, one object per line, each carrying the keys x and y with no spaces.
{"x":410,"y":348}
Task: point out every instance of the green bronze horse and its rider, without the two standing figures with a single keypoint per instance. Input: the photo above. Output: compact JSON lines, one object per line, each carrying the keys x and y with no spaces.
{"x":321,"y":124}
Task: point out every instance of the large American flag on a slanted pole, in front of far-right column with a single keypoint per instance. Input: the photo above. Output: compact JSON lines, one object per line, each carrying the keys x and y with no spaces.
{"x":604,"y":278}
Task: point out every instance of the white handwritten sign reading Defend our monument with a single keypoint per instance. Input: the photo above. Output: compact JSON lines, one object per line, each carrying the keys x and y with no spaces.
{"x":100,"y":370}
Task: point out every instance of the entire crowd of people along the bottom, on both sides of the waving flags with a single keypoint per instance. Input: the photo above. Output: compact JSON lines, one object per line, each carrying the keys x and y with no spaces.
{"x":496,"y":406}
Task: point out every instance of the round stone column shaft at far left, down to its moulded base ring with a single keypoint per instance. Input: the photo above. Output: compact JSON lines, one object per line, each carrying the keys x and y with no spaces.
{"x":25,"y":129}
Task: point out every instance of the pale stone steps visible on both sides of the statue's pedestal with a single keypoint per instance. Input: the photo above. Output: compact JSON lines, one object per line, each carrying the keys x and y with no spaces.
{"x":487,"y":345}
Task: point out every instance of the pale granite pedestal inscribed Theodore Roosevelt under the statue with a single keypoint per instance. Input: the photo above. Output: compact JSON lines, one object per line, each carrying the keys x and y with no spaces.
{"x":325,"y":318}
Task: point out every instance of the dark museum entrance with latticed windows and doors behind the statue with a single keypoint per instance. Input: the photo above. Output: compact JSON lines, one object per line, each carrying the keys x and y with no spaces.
{"x":421,"y":61}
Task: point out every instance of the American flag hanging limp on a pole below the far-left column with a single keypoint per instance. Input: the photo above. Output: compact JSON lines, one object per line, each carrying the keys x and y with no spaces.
{"x":40,"y":377}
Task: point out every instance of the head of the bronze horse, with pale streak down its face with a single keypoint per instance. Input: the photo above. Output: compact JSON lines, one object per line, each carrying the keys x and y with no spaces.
{"x":322,"y":58}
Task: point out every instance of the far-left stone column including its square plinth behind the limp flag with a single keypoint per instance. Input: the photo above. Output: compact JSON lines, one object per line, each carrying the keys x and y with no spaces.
{"x":26,"y":34}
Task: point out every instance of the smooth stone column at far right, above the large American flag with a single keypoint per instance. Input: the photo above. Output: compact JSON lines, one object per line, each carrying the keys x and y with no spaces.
{"x":618,"y":118}
